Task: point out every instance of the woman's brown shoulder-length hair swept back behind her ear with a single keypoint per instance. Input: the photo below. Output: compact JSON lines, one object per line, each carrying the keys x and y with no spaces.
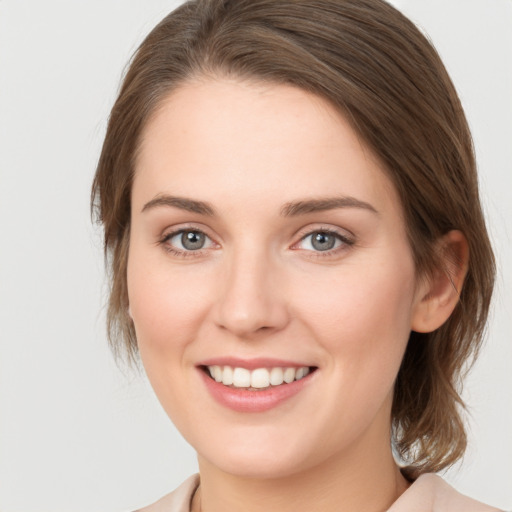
{"x":376,"y":67}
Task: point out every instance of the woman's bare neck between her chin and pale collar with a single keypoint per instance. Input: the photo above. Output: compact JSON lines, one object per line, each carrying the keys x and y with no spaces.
{"x":343,"y":484}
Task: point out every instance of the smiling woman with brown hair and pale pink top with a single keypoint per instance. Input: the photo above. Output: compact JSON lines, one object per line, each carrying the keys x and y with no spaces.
{"x":298,"y":253}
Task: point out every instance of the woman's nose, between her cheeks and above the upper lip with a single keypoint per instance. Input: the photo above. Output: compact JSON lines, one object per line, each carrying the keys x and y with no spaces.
{"x":252,"y":300}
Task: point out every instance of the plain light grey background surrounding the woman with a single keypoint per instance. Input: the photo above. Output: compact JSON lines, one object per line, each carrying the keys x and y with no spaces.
{"x":76,"y":433}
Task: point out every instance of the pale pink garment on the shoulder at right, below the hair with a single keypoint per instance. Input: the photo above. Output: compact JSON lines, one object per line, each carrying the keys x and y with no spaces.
{"x":431,"y":493}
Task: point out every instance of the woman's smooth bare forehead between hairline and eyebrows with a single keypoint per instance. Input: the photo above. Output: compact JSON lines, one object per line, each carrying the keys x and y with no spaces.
{"x":219,"y":140}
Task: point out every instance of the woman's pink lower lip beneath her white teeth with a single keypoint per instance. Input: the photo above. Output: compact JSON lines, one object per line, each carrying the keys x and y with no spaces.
{"x":243,"y":400}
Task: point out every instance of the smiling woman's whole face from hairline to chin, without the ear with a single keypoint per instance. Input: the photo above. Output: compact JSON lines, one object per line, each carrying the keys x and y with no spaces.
{"x":267,"y":242}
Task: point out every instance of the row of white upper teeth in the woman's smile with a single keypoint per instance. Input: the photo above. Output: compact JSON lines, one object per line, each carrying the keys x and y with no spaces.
{"x":258,"y":378}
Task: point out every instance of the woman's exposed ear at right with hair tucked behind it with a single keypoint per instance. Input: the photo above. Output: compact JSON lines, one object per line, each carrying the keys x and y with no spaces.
{"x":438,"y":295}
